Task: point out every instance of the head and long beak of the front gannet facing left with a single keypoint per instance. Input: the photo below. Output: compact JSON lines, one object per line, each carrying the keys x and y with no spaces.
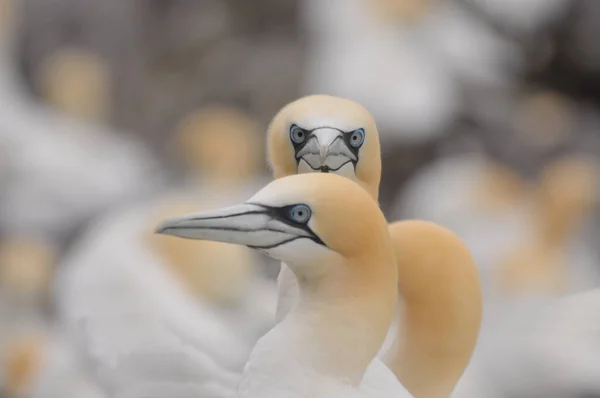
{"x":312,"y":222}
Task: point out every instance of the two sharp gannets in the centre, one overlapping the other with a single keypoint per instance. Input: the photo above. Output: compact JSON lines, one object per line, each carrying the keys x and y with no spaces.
{"x":343,"y":268}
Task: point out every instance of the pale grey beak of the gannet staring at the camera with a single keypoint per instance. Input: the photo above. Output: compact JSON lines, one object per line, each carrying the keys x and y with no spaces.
{"x":326,"y":151}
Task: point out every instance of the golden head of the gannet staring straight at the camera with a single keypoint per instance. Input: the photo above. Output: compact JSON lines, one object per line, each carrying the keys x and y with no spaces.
{"x":321,"y":133}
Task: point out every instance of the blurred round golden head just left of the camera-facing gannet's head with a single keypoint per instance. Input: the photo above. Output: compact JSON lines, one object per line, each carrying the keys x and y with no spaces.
{"x":223,"y":144}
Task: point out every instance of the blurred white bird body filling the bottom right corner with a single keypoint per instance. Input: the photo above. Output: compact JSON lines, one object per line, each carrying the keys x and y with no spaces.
{"x":538,"y":346}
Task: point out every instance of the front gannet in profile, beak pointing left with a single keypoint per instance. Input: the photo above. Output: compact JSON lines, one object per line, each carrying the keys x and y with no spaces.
{"x":334,"y":238}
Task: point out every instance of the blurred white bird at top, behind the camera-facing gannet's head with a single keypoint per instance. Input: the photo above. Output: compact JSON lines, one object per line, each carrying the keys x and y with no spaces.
{"x":407,"y":74}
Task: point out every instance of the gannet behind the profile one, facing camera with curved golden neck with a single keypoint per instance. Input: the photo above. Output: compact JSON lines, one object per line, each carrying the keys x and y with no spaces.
{"x":438,"y":280}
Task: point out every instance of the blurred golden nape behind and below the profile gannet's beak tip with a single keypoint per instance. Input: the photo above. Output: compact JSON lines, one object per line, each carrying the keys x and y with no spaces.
{"x":213,"y":271}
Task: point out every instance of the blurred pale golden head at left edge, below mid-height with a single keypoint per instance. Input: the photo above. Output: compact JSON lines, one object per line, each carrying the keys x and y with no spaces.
{"x":26,"y":266}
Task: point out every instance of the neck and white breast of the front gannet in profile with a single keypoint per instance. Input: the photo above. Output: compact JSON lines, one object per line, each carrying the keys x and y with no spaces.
{"x":329,"y":337}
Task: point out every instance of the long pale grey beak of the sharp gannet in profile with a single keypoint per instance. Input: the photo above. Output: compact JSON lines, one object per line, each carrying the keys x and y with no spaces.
{"x":250,"y":225}
